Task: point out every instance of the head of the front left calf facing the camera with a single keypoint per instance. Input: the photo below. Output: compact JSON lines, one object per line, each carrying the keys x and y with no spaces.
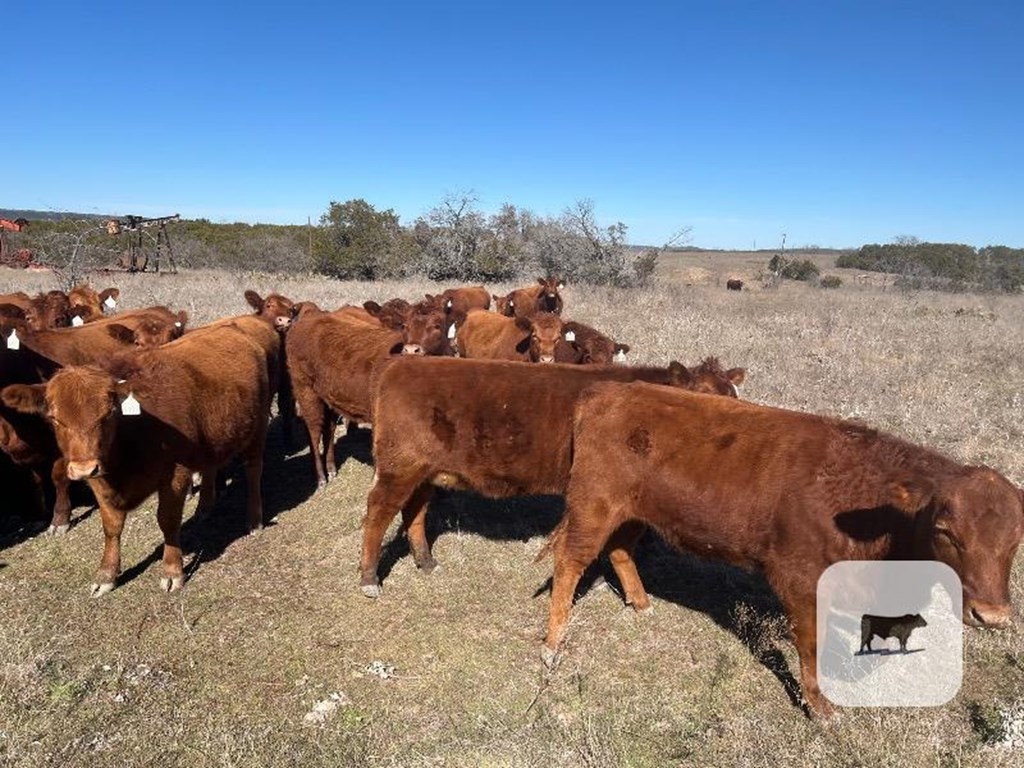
{"x":84,"y":407}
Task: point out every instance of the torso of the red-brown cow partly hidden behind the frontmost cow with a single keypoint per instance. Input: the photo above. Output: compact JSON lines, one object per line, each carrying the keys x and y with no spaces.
{"x":502,"y":429}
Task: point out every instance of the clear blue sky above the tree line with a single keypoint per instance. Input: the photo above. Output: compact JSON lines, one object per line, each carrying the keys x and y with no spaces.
{"x":837,"y":123}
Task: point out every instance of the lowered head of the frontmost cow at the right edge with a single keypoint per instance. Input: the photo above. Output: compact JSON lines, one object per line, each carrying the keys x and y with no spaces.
{"x":973,"y":523}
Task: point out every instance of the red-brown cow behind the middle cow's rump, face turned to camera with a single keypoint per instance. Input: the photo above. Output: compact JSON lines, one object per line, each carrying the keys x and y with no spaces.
{"x":330,"y":361}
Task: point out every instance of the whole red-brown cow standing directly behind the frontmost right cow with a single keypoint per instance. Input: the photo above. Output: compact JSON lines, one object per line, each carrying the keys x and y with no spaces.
{"x":502,"y":430}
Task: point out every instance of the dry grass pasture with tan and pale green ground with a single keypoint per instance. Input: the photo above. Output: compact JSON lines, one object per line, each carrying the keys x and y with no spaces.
{"x":445,"y":670}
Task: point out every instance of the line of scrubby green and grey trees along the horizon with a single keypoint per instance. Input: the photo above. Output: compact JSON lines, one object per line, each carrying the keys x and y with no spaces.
{"x":457,"y":242}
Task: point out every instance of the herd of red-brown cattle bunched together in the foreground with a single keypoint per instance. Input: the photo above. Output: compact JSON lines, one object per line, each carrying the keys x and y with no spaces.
{"x":135,"y":404}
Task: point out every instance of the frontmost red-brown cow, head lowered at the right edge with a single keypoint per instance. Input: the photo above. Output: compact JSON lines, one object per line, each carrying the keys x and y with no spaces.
{"x":785,"y":493}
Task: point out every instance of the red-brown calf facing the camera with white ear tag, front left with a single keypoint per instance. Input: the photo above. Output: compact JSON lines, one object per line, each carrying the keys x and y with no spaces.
{"x":202,"y":400}
